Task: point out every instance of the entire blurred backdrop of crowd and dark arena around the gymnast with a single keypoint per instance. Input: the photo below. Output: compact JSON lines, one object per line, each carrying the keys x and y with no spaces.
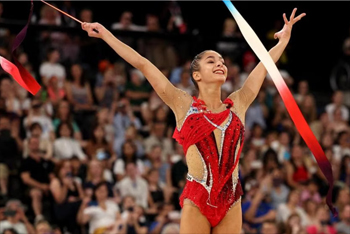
{"x":93,"y":151}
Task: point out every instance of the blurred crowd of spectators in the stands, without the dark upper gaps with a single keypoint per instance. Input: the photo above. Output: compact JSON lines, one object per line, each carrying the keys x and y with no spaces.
{"x":93,"y":151}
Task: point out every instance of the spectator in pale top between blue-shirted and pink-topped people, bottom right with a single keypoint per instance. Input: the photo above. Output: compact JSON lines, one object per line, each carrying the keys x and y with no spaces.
{"x":292,"y":206}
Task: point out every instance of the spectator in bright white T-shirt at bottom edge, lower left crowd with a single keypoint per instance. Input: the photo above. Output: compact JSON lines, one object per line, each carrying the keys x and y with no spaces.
{"x":101,"y":213}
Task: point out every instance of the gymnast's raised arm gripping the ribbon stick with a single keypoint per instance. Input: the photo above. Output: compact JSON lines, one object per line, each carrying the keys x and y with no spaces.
{"x":166,"y":91}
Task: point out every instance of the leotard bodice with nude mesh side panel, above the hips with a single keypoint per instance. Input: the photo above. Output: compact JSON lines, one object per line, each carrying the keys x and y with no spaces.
{"x":214,"y":160}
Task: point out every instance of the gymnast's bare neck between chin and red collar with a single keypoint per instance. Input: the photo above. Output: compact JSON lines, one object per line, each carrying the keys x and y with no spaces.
{"x":211,"y":96}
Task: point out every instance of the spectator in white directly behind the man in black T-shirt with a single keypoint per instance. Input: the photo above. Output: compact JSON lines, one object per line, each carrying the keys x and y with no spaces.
{"x":45,"y":145}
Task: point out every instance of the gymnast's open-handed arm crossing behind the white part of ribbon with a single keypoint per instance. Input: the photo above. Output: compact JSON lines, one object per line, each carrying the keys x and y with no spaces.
{"x":252,"y":85}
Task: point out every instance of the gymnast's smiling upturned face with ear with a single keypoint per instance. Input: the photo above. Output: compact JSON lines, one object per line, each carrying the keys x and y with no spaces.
{"x":212,"y":69}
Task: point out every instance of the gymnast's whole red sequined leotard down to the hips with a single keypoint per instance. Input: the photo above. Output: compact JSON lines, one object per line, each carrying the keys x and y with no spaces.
{"x":220,"y":188}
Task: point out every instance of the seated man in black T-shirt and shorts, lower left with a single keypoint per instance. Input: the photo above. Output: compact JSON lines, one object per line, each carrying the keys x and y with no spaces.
{"x":36,"y":173}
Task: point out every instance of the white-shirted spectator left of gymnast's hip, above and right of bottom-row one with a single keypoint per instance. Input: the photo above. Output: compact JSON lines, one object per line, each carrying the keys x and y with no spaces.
{"x":133,"y":185}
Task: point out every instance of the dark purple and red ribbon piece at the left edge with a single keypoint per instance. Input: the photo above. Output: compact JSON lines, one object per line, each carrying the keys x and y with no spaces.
{"x":18,"y":72}
